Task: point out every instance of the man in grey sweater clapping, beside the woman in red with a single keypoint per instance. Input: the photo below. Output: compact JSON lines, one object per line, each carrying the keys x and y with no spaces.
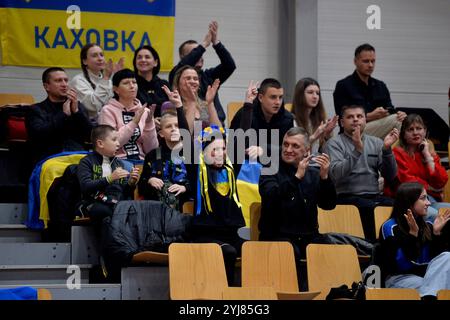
{"x":356,"y":161}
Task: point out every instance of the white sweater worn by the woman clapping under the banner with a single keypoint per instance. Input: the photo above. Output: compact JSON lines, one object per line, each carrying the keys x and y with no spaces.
{"x":92,"y":99}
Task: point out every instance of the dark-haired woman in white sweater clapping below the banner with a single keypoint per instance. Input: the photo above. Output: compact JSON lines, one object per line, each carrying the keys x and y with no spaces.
{"x":94,"y":85}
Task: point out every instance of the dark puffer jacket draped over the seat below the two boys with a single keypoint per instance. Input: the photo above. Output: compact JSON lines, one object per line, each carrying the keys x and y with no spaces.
{"x":138,"y":226}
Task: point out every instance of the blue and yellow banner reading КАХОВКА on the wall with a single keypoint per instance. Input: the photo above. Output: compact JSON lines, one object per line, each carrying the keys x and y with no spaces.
{"x":47,"y":33}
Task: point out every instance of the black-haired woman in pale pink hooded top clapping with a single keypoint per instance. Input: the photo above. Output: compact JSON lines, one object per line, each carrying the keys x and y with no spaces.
{"x":133,"y":121}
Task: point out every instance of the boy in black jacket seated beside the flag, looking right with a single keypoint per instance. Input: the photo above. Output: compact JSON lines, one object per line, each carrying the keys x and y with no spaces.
{"x":103,"y":179}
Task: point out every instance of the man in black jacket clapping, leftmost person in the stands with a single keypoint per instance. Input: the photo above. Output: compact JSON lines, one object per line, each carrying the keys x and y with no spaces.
{"x":59,"y":123}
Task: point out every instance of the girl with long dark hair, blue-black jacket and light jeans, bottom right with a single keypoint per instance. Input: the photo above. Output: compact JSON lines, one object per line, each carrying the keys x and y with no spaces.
{"x":414,"y":250}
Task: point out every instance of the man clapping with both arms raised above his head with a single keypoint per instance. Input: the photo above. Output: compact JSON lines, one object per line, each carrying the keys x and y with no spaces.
{"x":191,"y":54}
